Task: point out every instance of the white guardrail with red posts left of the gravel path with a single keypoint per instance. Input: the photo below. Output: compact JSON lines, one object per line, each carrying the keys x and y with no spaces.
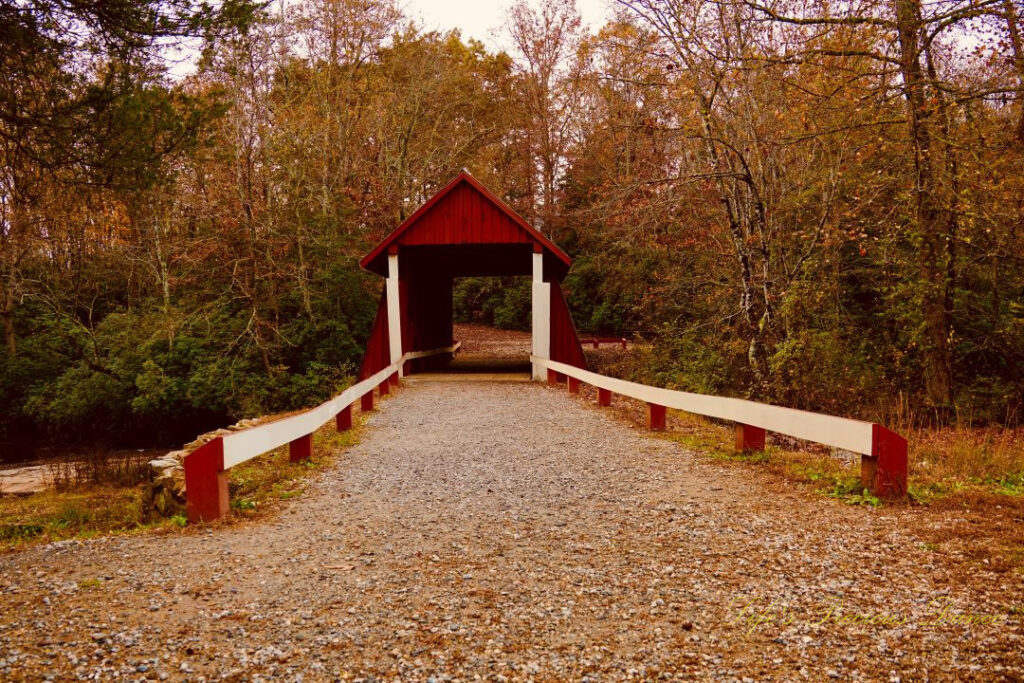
{"x":206,"y":468}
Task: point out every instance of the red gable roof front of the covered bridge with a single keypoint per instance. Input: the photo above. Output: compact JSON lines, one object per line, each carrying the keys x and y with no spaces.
{"x":464,"y":212}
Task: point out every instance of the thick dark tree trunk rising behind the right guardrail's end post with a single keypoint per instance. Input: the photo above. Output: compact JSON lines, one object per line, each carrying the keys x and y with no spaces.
{"x":932,"y":231}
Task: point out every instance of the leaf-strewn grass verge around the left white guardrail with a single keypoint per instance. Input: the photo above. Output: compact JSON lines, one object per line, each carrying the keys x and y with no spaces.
{"x":83,"y":509}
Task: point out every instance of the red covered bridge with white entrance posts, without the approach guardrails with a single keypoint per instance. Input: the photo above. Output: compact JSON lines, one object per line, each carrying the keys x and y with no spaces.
{"x":463,"y":231}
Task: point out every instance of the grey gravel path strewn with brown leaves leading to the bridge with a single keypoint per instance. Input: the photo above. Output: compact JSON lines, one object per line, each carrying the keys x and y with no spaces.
{"x":507,"y":532}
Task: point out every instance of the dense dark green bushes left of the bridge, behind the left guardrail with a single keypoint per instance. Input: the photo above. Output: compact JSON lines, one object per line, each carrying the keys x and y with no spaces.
{"x":131,"y":382}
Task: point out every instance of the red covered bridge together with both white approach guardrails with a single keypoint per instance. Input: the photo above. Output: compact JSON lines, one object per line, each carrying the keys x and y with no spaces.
{"x":465,"y":231}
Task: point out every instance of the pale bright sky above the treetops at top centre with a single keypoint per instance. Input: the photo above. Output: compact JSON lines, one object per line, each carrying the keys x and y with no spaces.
{"x":485,"y":20}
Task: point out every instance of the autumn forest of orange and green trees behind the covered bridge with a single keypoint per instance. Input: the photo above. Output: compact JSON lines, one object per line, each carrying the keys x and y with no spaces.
{"x":813,"y":203}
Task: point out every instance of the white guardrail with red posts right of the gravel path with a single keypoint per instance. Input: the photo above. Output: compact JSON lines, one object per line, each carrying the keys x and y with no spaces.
{"x":884,"y":466}
